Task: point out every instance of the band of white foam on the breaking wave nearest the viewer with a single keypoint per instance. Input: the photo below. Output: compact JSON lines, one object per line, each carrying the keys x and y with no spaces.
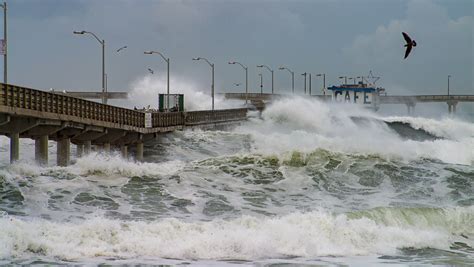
{"x":317,"y":233}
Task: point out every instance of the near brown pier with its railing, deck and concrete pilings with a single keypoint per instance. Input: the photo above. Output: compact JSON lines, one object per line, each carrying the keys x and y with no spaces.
{"x":43,"y":116}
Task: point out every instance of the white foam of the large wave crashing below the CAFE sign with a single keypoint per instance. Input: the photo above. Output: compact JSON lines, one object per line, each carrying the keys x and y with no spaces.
{"x":305,"y":125}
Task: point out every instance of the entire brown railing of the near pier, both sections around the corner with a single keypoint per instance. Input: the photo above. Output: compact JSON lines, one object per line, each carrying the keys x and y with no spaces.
{"x":22,"y":98}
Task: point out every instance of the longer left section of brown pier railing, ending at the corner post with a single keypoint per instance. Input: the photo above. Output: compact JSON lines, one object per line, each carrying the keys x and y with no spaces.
{"x":36,"y":100}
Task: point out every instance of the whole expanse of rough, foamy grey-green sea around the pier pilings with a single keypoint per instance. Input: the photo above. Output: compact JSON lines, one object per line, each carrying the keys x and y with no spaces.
{"x":319,"y":184}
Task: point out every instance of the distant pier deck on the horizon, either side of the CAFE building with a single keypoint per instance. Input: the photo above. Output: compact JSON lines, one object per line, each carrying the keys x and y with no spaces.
{"x":410,"y":101}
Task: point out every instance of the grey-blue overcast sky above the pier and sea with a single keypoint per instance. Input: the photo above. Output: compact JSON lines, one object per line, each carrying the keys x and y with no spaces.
{"x":336,"y":37}
